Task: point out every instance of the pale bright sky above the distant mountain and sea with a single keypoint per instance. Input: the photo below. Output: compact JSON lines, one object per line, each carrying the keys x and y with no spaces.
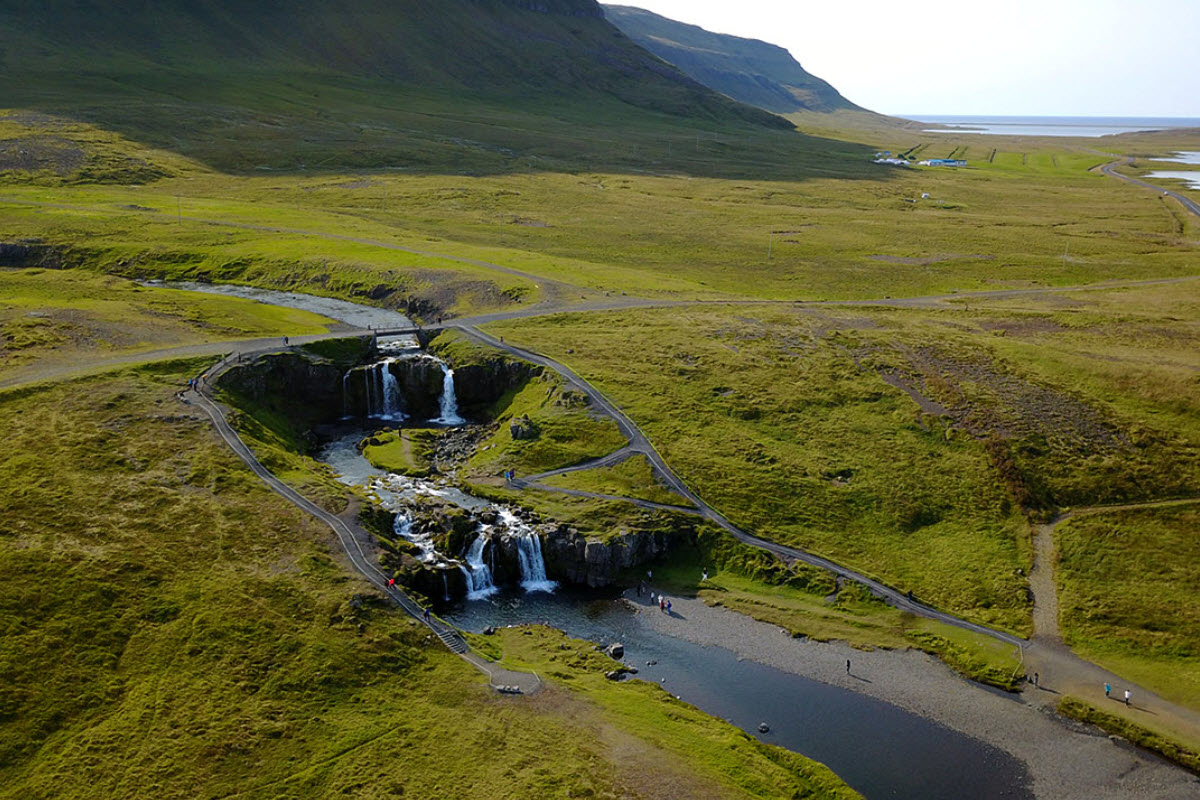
{"x":1051,"y":58}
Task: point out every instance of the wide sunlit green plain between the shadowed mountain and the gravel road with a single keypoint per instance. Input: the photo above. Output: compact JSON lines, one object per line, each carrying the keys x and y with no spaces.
{"x":1040,"y":216}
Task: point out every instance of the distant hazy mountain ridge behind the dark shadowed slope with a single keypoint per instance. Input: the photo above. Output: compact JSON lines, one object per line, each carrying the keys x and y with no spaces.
{"x":754,"y":73}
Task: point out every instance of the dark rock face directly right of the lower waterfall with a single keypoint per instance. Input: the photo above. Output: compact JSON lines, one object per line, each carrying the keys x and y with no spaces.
{"x":578,"y":560}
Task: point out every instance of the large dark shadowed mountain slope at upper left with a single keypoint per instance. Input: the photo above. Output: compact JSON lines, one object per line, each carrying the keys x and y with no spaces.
{"x":251,"y":85}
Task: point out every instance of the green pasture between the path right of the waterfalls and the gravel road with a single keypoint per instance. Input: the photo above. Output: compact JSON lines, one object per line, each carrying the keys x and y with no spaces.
{"x":801,"y":424}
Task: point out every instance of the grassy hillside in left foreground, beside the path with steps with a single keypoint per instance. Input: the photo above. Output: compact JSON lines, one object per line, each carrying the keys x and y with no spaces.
{"x":173,"y":629}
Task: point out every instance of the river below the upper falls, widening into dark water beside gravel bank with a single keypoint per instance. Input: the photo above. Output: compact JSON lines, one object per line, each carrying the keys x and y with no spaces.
{"x":879,"y":749}
